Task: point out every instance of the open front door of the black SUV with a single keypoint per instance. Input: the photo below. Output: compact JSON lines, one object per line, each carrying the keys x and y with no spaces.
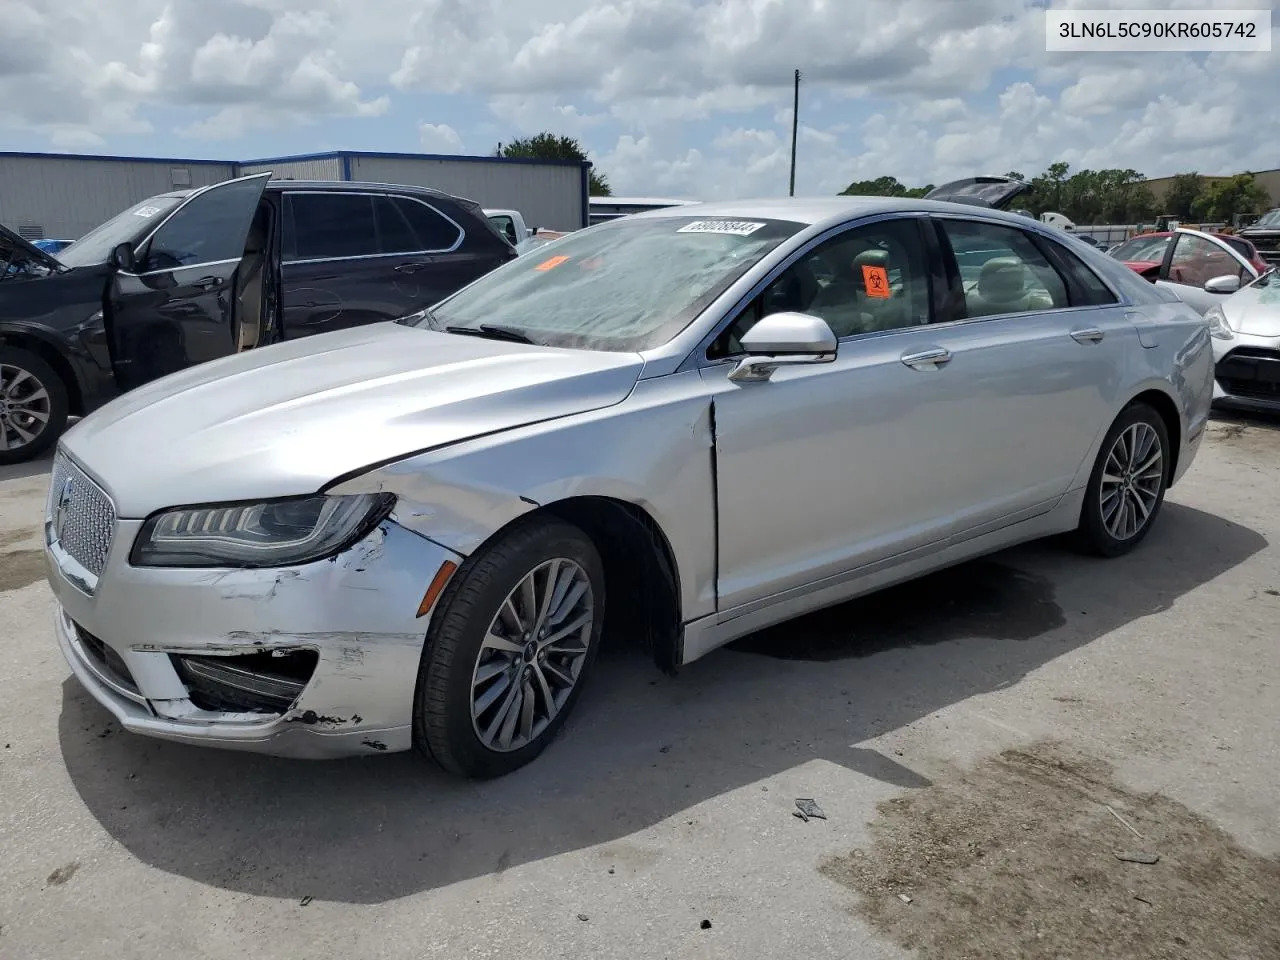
{"x":172,"y":301}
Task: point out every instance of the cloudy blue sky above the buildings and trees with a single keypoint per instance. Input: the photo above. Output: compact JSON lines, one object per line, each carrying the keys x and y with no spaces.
{"x":671,"y":98}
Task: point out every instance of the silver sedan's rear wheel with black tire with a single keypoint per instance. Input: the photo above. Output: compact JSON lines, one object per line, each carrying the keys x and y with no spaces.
{"x":1104,"y":531}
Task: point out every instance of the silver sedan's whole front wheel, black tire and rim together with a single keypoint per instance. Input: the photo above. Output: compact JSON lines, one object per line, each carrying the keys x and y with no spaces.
{"x":460,"y":656}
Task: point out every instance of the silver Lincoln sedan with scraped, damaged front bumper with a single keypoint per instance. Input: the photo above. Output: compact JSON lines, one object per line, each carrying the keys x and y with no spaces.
{"x":676,"y":428}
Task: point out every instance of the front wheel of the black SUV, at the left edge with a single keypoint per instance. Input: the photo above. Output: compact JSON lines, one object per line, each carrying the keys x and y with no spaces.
{"x":20,"y":399}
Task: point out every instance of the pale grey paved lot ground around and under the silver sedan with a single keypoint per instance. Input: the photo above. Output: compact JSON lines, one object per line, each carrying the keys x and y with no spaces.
{"x":982,"y":744}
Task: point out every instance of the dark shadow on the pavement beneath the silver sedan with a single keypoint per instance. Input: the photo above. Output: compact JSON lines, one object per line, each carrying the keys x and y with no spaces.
{"x":642,"y":747}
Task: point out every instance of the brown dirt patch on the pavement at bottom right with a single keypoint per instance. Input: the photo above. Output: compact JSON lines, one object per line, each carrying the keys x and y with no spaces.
{"x":958,"y":848}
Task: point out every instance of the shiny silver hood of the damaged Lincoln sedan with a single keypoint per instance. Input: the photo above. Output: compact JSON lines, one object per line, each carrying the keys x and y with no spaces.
{"x":289,"y":419}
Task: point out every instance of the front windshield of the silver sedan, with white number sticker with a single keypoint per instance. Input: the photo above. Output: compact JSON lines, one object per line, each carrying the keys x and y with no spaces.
{"x":623,"y":286}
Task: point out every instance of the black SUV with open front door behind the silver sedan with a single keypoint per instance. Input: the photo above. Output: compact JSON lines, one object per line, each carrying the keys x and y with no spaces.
{"x":195,"y":276}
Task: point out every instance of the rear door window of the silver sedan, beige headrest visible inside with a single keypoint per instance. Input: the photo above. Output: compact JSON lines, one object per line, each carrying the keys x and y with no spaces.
{"x":1002,"y":271}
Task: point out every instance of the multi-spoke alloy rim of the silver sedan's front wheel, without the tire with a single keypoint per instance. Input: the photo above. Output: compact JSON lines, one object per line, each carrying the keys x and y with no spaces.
{"x":532,"y":656}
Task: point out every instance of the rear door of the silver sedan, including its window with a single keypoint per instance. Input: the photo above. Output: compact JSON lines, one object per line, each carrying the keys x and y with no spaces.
{"x":1037,"y":348}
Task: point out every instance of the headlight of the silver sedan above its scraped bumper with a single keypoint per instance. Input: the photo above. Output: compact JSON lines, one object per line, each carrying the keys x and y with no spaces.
{"x":273,"y":534}
